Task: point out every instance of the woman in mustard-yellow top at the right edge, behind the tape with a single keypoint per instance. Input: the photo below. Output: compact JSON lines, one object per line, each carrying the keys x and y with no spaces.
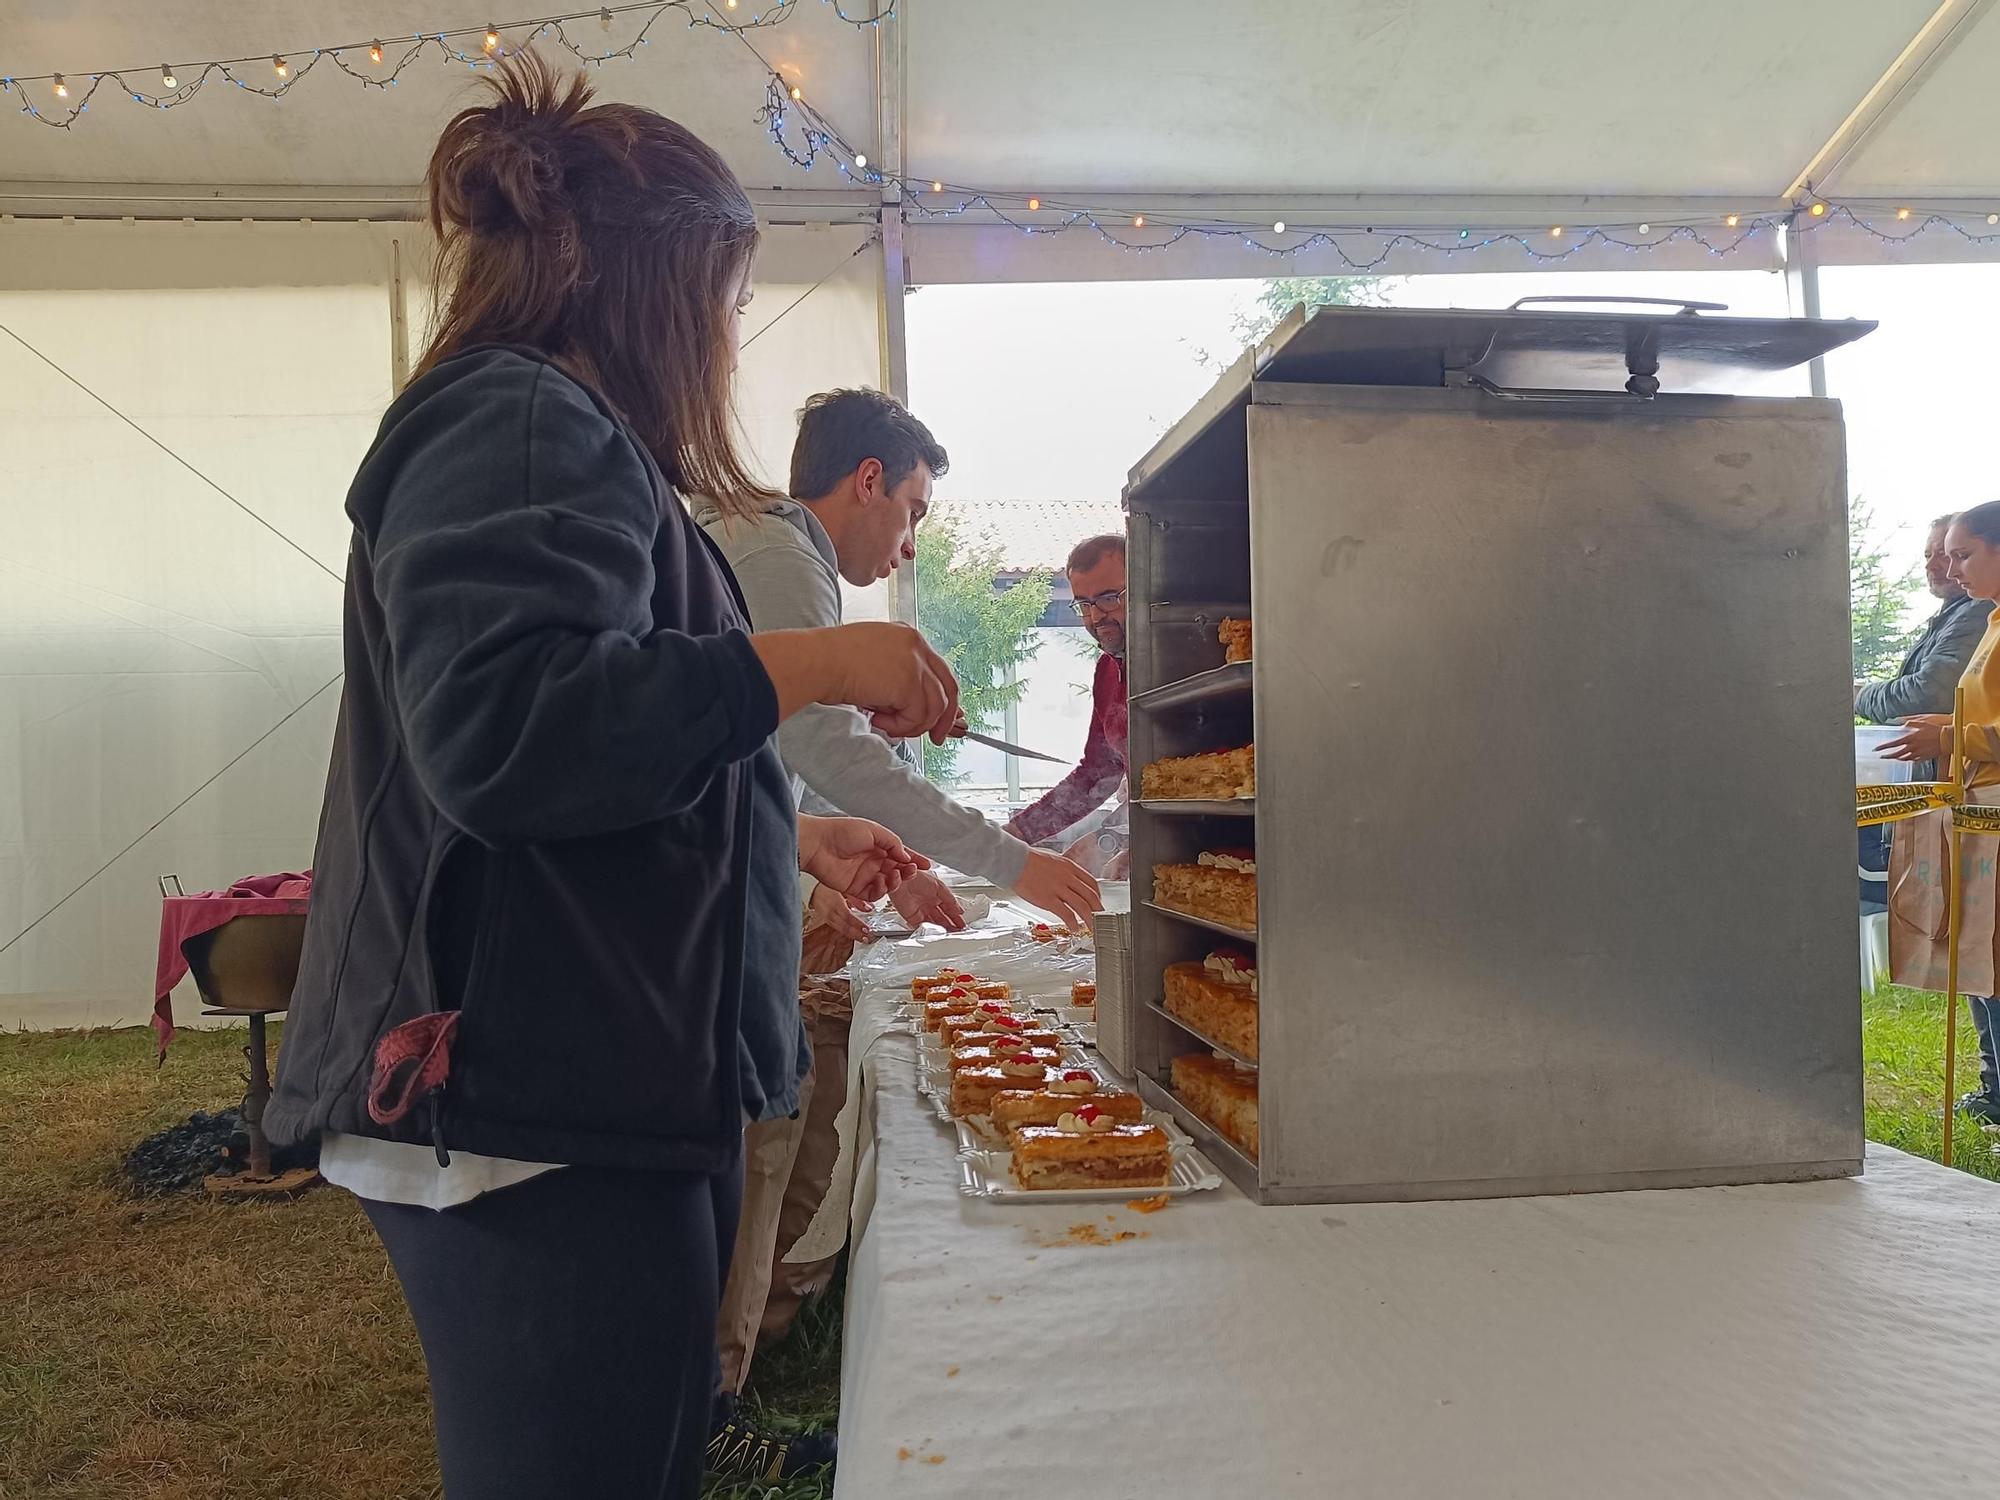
{"x":1973,"y":547}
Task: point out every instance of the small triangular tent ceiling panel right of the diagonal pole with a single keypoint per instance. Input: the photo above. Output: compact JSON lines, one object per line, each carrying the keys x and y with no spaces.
{"x":1943,"y":141}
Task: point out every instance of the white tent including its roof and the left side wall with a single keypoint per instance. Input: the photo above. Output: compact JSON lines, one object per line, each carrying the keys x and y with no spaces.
{"x":205,"y":309}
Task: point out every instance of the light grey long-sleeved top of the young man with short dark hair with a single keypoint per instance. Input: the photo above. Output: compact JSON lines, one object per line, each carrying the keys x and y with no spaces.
{"x":791,"y":577}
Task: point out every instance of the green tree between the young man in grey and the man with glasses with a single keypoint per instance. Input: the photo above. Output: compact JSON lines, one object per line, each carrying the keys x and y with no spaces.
{"x":979,"y":629}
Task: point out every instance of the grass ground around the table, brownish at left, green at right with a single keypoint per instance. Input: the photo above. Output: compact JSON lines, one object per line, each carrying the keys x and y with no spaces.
{"x":193,"y":1351}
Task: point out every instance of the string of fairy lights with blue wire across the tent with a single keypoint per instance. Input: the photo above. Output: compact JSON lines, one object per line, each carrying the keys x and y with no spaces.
{"x":807,"y":139}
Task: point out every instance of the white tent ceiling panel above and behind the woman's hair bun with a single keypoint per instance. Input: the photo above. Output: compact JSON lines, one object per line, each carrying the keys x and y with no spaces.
{"x":335,"y":131}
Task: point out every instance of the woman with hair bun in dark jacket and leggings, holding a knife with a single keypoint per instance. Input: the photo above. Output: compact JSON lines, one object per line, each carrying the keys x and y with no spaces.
{"x":551,"y":965}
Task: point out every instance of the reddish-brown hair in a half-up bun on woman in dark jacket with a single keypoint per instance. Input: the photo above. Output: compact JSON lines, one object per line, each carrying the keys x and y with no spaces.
{"x":611,"y":239}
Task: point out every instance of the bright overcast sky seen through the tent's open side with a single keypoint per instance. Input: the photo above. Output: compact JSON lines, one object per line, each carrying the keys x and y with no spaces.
{"x":1055,"y":391}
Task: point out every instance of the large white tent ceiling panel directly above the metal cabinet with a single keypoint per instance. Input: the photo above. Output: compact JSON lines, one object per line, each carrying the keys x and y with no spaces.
{"x":1457,"y":97}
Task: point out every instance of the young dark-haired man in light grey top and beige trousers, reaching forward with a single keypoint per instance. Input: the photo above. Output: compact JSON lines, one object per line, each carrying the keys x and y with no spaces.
{"x":863,"y":473}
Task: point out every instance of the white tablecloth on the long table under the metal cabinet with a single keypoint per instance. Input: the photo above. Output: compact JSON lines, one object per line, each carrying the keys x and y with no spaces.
{"x":1797,"y":1341}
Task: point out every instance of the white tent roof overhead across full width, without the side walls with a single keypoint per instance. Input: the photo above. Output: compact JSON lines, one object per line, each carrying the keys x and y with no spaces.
{"x":1317,"y":113}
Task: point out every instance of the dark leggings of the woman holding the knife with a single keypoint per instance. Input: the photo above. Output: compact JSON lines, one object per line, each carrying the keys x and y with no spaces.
{"x":571,"y":1331}
